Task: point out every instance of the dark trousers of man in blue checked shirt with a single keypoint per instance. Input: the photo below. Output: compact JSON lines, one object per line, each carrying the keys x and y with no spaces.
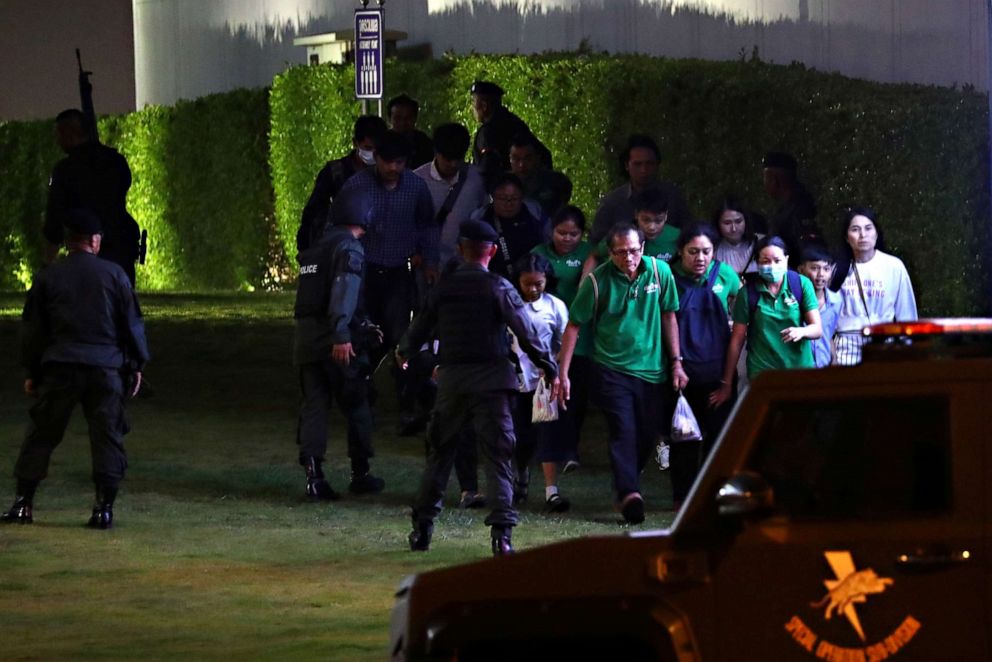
{"x":389,"y":297}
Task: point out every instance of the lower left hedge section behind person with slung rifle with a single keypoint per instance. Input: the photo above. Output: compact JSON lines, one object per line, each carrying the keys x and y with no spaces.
{"x":201,"y":187}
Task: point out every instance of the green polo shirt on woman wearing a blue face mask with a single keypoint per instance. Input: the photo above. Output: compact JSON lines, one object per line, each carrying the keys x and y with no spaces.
{"x":766,"y":349}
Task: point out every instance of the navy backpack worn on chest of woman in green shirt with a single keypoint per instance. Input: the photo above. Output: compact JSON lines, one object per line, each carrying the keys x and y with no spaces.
{"x":703,"y":330}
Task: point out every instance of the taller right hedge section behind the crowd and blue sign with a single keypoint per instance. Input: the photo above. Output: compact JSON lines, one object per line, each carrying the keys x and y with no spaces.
{"x":917,"y":154}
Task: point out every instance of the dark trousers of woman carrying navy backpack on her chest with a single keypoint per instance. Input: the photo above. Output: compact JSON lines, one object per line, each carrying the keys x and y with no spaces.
{"x":686,"y":458}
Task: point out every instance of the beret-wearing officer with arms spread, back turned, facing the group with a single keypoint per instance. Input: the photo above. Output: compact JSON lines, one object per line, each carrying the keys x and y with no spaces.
{"x":471,"y":308}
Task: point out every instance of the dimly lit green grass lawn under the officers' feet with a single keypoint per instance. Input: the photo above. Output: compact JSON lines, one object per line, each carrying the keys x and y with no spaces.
{"x":215,"y":554}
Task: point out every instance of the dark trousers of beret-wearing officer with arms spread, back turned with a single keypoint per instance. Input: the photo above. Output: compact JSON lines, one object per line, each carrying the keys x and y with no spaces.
{"x":489,"y":414}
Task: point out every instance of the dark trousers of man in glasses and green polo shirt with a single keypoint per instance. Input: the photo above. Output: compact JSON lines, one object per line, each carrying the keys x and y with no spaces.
{"x":630,"y":406}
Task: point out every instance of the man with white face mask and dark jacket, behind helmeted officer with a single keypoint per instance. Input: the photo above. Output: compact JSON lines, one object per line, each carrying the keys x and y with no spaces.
{"x":330,"y":179}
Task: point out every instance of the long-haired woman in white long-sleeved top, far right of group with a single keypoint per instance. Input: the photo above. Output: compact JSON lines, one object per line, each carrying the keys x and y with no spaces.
{"x":874,"y":285}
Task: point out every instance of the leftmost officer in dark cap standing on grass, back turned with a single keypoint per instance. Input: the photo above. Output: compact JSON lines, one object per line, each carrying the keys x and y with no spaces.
{"x":83,"y":340}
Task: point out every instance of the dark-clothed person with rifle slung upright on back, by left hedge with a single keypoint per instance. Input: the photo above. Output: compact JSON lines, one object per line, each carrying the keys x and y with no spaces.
{"x":94,"y":177}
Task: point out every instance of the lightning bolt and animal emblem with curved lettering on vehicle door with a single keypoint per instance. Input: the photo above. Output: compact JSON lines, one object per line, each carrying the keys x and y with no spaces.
{"x":849,"y":588}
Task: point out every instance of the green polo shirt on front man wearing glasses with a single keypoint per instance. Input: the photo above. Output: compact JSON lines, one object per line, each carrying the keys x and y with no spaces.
{"x":627,"y":317}
